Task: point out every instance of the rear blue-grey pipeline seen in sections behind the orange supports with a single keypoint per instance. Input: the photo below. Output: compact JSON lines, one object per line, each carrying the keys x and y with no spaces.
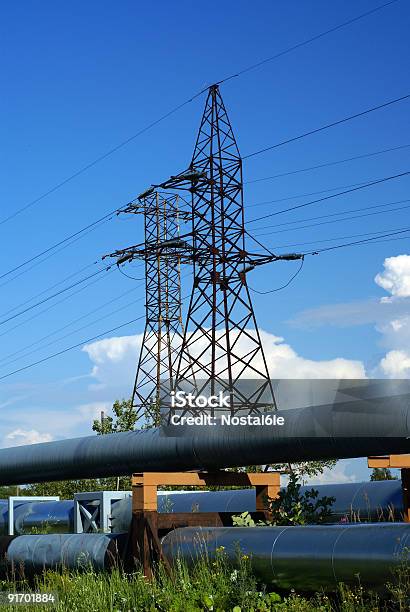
{"x":362,"y":501}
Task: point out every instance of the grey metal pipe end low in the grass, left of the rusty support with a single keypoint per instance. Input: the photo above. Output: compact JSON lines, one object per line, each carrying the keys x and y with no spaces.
{"x":34,"y":553}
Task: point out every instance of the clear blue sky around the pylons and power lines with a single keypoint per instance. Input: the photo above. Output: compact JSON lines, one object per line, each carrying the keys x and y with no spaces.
{"x":79,"y":78}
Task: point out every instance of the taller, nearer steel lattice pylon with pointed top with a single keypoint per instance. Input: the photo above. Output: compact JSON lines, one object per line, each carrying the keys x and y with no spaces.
{"x":221,"y":334}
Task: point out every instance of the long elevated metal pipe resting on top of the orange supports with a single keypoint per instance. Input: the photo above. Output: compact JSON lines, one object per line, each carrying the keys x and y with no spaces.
{"x":342,"y":430}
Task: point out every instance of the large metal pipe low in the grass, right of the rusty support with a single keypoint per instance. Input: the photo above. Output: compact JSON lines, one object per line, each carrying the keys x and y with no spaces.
{"x":304,"y":558}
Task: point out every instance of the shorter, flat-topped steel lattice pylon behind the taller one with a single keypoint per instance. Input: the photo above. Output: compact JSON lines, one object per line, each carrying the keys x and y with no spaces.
{"x":163,"y":334}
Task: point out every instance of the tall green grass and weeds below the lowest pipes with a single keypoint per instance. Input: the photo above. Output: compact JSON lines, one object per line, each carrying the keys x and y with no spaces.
{"x":209,"y":585}
